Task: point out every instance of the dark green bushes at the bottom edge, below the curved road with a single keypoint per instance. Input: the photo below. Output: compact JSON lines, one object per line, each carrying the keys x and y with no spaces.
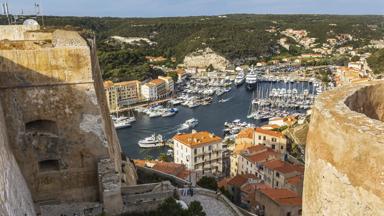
{"x":171,"y":208}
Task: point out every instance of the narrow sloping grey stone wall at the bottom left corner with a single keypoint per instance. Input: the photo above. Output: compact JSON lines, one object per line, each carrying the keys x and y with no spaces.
{"x":15,"y":198}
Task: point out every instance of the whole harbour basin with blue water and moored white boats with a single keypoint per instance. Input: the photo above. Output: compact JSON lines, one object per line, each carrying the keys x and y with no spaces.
{"x":212,"y":111}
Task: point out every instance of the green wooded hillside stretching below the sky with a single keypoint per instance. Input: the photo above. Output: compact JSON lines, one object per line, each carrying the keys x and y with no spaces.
{"x":240,"y":37}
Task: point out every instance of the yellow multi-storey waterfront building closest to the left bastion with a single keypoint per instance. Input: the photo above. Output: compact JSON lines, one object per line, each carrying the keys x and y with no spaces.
{"x":122,"y":93}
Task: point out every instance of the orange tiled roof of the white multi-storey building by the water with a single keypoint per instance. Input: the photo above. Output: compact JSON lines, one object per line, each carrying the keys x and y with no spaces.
{"x":197,"y":139}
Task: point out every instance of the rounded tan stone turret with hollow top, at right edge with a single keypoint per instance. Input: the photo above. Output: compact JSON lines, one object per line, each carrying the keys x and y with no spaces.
{"x":344,"y":173}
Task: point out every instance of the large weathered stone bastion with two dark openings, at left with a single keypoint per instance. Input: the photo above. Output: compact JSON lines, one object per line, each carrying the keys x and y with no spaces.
{"x":56,"y":116}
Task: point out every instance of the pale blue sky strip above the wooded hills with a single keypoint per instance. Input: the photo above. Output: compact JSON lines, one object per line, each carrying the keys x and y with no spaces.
{"x":165,"y":8}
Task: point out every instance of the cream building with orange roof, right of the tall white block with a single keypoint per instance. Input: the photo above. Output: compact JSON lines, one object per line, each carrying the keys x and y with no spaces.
{"x":272,"y":139}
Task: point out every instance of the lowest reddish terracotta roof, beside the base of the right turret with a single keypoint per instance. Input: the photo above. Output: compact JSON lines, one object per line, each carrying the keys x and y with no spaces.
{"x":282,"y":196}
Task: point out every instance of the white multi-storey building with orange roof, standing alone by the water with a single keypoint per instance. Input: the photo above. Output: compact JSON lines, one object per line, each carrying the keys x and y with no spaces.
{"x":199,"y":151}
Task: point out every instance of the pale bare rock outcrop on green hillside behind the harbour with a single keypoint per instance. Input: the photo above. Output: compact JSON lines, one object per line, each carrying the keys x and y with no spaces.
{"x":204,"y":58}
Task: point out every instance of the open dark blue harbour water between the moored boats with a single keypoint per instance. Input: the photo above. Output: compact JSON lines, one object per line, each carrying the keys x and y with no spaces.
{"x":211,"y":118}
